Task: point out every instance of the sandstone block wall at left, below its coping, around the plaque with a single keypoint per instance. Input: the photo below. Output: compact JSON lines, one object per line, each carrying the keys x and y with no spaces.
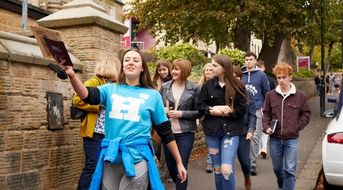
{"x":31,"y":155}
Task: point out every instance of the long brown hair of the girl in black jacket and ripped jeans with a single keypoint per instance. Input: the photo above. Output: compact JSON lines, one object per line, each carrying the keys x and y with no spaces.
{"x":232,"y":85}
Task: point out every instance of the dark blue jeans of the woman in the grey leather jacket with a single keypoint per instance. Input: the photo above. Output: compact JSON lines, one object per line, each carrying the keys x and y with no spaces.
{"x":184,"y":143}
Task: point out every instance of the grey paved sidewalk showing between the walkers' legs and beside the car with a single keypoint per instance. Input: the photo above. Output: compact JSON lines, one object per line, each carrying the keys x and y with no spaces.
{"x":309,"y":161}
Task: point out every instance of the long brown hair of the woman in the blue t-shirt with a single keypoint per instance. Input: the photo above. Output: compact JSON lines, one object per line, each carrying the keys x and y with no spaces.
{"x":144,"y":77}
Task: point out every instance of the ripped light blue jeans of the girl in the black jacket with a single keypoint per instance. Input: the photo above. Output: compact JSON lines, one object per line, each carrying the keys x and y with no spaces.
{"x":223,"y":151}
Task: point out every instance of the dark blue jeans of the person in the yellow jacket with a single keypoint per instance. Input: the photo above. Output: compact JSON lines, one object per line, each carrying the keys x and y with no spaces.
{"x":91,"y":147}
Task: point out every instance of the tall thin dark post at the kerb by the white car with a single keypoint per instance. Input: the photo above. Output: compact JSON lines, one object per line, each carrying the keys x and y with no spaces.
{"x":322,"y":89}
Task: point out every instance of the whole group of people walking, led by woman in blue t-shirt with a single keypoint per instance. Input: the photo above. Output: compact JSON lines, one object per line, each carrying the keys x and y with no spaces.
{"x":125,"y":106}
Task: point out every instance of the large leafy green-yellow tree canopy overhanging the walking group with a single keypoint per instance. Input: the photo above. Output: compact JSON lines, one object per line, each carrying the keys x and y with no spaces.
{"x":225,"y":21}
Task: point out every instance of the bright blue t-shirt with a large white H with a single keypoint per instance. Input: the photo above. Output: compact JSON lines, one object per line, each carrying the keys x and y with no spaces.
{"x":130,"y":111}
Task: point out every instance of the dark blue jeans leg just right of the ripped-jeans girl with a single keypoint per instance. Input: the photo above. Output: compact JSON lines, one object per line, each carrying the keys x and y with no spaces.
{"x":243,"y":154}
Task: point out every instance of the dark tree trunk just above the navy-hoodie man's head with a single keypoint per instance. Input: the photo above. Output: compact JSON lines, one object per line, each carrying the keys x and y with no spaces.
{"x":242,"y":38}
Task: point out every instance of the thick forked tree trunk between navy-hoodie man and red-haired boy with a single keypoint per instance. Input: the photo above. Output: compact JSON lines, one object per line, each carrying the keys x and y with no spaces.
{"x":270,"y":54}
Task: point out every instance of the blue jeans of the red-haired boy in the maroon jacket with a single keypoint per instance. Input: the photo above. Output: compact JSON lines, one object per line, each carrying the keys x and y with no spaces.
{"x":284,"y":155}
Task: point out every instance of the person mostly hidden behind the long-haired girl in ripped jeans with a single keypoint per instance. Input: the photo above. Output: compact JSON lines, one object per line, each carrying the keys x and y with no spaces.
{"x":243,"y":152}
